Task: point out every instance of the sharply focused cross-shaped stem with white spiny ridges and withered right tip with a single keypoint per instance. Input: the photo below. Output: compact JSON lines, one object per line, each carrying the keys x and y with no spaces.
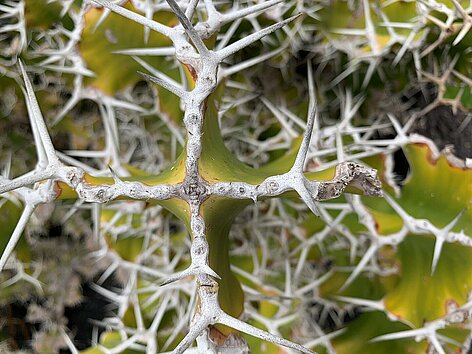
{"x":200,"y":182}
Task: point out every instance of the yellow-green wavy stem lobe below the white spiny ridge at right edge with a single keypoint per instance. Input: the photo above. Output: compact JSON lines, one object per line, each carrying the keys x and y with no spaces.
{"x":419,"y":296}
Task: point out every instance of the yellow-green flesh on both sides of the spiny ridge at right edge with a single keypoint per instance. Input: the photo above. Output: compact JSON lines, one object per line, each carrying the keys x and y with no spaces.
{"x":437,"y":191}
